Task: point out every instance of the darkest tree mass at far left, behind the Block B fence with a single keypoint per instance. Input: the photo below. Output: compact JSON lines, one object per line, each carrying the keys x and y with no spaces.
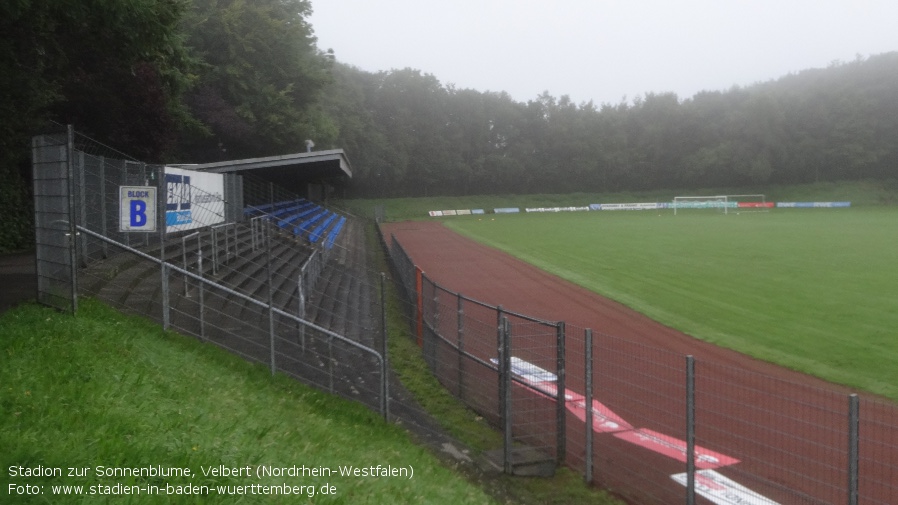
{"x":113,"y":68}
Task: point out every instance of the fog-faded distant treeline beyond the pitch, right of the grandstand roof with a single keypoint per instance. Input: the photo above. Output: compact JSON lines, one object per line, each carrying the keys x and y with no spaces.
{"x":407,"y":134}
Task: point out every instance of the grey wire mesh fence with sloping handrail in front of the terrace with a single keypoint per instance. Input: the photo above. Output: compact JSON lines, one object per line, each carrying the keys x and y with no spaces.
{"x":240,"y":282}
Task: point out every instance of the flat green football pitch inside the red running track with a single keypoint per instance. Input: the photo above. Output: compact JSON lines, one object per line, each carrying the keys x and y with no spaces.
{"x":810,"y":289}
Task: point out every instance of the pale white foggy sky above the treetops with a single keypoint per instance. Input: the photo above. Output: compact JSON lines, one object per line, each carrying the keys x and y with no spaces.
{"x":600,"y":50}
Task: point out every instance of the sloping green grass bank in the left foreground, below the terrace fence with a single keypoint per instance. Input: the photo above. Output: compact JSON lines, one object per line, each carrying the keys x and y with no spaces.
{"x":105,"y":389}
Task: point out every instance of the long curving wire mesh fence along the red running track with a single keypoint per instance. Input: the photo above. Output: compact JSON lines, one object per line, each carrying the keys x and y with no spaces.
{"x":651,"y":425}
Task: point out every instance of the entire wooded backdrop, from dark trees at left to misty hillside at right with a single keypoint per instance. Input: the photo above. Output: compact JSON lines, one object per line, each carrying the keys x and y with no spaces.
{"x":207,"y":80}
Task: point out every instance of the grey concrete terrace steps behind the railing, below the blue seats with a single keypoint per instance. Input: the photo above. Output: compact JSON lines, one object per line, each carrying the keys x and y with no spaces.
{"x":341,"y":300}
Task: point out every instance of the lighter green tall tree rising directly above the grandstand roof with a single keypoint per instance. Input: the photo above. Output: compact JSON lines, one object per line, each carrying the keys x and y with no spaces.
{"x":259,"y":88}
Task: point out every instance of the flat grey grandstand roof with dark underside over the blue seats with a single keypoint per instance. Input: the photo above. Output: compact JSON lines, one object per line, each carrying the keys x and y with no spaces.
{"x":287,"y":170}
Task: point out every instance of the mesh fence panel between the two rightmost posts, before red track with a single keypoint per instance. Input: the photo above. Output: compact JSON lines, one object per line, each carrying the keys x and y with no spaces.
{"x":780,"y":432}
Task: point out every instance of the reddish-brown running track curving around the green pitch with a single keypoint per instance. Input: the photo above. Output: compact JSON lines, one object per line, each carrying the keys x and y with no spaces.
{"x":789,"y":431}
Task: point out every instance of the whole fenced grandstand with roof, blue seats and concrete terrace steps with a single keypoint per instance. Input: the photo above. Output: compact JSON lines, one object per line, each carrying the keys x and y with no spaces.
{"x":268,"y":272}
